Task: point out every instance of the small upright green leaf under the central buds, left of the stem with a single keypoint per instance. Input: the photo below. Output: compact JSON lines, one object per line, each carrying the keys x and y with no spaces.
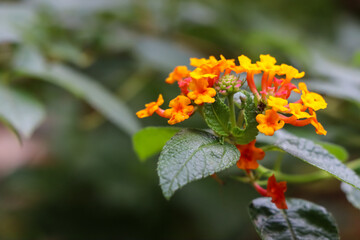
{"x":217,"y":116}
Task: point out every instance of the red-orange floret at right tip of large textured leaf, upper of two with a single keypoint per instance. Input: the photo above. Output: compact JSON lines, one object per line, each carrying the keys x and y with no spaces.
{"x":249,"y":155}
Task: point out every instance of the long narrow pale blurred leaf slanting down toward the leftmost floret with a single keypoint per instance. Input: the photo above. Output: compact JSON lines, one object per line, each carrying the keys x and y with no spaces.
{"x":30,"y":63}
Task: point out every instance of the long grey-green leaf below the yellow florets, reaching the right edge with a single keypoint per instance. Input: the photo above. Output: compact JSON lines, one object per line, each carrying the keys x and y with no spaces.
{"x":317,"y":156}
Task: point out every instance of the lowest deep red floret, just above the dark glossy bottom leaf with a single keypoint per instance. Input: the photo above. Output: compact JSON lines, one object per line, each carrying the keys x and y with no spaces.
{"x":276,"y":192}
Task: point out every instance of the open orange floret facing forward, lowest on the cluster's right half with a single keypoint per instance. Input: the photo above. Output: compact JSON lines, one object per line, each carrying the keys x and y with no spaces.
{"x":269,"y":123}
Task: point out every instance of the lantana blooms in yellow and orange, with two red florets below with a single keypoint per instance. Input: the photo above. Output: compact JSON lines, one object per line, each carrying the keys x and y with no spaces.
{"x":224,"y":77}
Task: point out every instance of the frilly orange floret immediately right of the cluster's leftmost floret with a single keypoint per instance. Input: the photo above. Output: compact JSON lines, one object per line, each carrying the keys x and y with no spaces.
{"x":180,"y":110}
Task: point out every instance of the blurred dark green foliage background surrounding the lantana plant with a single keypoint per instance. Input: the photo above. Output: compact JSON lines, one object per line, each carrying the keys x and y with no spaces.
{"x":77,"y":177}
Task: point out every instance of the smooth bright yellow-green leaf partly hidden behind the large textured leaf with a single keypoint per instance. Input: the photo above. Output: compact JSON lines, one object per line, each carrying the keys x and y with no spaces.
{"x":151,"y":140}
